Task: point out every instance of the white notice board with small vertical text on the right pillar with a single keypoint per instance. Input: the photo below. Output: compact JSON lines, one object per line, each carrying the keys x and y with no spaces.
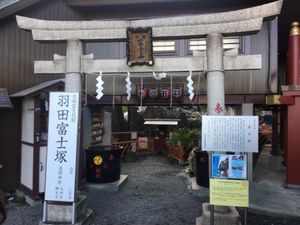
{"x":230,"y":133}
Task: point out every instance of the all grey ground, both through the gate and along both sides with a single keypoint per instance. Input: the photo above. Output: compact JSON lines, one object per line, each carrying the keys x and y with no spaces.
{"x":157,"y":193}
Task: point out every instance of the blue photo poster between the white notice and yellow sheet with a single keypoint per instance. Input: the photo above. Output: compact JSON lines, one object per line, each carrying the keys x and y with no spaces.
{"x":229,"y":166}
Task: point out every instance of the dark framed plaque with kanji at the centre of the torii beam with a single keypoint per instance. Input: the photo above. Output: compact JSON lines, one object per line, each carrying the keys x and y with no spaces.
{"x":139,"y":46}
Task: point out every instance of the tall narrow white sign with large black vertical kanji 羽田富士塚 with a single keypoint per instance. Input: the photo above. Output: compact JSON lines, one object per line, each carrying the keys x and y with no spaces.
{"x":62,"y":146}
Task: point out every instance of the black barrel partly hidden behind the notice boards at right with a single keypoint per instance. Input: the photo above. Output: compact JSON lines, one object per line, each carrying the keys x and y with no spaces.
{"x":202,"y":172}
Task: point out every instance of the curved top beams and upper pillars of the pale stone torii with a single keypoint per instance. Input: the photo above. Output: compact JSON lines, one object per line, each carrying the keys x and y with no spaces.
{"x":211,"y":26}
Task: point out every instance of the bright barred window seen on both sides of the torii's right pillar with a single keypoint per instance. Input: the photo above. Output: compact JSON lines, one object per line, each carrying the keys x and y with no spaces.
{"x":200,"y":44}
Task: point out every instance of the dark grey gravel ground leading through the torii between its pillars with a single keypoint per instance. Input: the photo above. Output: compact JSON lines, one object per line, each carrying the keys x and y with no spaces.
{"x":156,"y":193}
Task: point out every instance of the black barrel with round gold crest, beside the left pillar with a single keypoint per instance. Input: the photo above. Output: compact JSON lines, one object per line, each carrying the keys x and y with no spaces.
{"x":103,"y":164}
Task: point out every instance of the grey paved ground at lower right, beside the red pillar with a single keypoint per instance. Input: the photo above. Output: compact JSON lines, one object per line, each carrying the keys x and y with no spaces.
{"x":267,"y":191}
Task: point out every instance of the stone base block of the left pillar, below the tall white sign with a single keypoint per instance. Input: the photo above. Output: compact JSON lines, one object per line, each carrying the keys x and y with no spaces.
{"x":62,"y":213}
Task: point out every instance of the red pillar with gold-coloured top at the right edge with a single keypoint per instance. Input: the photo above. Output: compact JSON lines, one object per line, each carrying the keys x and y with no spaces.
{"x":291,"y":97}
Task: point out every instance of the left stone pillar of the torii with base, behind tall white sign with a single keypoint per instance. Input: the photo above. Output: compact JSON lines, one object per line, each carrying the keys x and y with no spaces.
{"x":65,"y":213}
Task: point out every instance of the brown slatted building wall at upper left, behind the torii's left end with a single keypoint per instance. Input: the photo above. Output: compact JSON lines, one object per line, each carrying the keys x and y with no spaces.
{"x":18,"y":50}
